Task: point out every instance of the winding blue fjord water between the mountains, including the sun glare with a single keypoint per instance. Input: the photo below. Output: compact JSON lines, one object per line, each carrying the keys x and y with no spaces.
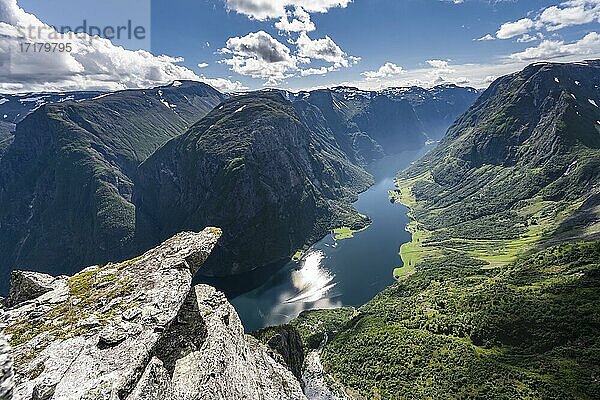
{"x":332,"y":273}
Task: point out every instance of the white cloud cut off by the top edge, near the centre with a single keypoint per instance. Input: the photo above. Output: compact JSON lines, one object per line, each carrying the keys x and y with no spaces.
{"x":269,"y":9}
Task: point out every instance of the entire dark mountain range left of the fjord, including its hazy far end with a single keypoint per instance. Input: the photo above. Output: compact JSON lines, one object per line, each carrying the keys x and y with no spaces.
{"x":279,"y":173}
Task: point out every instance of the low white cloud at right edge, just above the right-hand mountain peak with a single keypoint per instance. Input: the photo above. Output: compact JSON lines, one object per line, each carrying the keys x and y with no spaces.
{"x":589,"y":45}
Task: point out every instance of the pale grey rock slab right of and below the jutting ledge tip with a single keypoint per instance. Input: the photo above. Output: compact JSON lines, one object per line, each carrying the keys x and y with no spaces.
{"x":229,"y":364}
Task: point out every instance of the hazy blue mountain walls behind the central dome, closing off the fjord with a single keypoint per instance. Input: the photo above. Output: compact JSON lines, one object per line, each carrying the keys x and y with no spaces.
{"x":370,"y":124}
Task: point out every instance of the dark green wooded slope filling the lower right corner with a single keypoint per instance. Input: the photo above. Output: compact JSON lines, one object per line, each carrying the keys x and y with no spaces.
{"x":530,"y":329}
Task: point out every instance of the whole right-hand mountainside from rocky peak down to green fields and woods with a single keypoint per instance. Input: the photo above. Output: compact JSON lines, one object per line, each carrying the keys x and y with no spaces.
{"x":498,"y":294}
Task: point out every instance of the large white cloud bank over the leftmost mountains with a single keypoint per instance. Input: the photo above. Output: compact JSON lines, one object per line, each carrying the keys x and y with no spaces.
{"x":93,"y":63}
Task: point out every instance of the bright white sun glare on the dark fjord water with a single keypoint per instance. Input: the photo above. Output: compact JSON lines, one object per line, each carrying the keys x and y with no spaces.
{"x":312,"y":280}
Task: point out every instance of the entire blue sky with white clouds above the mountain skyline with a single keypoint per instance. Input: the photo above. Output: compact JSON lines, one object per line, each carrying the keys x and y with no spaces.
{"x":292,"y":44}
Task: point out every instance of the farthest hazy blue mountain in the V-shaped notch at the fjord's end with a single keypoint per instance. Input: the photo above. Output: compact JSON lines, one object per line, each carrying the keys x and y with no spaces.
{"x":437,"y":108}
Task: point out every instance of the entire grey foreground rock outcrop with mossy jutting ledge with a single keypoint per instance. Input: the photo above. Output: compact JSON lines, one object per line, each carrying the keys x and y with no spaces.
{"x":138,"y":330}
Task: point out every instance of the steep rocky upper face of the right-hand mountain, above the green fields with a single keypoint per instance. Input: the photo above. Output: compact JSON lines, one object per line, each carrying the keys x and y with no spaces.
{"x":533,"y":134}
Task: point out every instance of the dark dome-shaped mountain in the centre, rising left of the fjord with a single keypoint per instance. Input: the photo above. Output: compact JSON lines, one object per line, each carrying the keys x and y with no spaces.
{"x":254,"y":168}
